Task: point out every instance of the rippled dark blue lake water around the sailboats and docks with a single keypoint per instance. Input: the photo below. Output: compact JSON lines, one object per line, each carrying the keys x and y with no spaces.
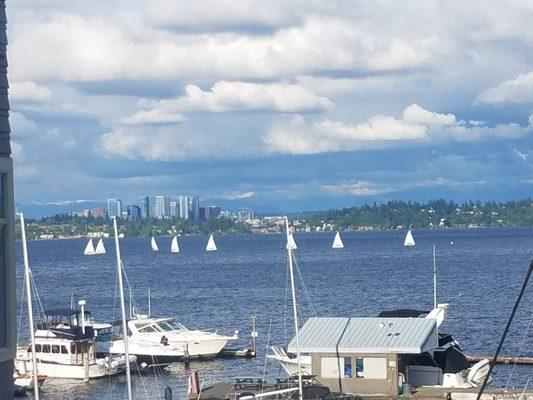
{"x":479,"y":274}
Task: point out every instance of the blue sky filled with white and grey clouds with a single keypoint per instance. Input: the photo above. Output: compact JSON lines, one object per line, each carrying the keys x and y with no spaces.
{"x":278,"y":105}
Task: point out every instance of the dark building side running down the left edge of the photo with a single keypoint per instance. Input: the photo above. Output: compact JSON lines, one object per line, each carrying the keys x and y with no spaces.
{"x":8,"y":285}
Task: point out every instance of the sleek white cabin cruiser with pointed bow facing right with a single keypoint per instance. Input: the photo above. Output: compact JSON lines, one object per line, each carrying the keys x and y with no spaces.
{"x":160,"y":340}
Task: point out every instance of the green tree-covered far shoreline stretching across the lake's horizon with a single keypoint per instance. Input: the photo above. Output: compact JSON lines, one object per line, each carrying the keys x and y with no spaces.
{"x":383,"y":216}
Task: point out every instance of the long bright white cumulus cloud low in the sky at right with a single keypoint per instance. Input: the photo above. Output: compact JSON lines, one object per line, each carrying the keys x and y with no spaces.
{"x":417,"y":125}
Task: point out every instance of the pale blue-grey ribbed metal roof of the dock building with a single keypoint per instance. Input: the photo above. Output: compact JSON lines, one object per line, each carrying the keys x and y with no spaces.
{"x":367,"y":335}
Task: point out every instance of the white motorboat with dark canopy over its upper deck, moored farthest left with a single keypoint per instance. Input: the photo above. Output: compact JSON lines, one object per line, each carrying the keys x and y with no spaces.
{"x":64,"y":347}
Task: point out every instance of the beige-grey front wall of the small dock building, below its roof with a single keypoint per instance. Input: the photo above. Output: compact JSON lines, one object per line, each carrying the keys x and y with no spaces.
{"x":362,"y":386}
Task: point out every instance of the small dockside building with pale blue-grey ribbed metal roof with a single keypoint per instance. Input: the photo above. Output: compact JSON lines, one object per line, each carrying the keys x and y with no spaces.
{"x":366,"y":356}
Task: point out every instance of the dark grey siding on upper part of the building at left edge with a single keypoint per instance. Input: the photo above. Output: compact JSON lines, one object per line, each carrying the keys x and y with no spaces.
{"x":5,"y":147}
